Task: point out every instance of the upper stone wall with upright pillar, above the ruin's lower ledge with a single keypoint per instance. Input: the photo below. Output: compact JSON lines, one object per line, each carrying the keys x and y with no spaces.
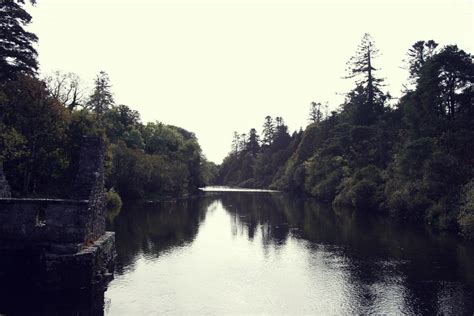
{"x":79,"y":220}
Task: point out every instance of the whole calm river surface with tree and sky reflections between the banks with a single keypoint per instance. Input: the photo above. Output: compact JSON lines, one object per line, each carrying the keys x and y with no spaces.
{"x":266,"y":253}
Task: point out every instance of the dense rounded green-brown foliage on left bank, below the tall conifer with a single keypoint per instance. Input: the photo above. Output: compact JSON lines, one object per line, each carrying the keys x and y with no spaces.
{"x":41,"y":138}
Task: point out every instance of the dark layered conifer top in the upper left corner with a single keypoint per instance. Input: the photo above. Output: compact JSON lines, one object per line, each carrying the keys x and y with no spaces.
{"x":17,"y":54}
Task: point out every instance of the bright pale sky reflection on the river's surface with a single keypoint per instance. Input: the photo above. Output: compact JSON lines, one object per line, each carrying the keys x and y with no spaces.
{"x":224,"y":271}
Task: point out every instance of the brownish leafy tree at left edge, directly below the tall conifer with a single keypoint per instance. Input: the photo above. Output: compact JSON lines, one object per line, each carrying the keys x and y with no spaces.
{"x":33,"y":116}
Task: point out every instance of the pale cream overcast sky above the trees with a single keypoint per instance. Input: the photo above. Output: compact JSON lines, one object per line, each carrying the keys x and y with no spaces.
{"x":215,"y":67}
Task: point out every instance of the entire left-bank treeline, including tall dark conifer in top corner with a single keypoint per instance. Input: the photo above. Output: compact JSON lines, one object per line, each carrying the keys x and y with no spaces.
{"x":43,"y":121}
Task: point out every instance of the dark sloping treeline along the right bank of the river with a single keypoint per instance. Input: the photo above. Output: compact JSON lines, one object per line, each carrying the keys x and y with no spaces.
{"x":413,"y":160}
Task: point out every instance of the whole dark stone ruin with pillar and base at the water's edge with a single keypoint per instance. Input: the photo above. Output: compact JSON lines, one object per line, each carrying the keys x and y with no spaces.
{"x":60,"y":243}
